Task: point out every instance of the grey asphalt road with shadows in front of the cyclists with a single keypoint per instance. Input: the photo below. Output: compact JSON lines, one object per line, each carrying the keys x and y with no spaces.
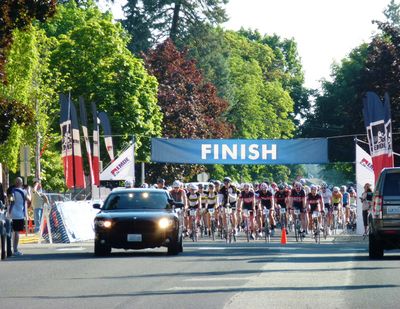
{"x":334,"y":274}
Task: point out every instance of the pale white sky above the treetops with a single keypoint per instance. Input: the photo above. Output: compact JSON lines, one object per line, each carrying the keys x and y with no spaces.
{"x":325,"y":30}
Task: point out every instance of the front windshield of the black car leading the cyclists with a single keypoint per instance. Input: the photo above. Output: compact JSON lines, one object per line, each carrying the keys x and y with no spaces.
{"x":136,"y":200}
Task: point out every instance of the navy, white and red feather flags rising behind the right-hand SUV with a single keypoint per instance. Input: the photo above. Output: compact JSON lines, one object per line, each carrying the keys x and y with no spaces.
{"x":378,"y":123}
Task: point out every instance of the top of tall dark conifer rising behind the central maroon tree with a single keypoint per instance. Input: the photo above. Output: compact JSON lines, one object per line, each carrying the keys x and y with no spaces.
{"x":151,"y":22}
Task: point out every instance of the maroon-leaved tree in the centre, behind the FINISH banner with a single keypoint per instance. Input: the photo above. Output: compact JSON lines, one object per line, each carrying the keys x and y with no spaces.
{"x":190,"y":105}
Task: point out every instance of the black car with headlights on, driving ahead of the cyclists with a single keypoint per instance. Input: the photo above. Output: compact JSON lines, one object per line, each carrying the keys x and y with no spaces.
{"x":138,"y":219}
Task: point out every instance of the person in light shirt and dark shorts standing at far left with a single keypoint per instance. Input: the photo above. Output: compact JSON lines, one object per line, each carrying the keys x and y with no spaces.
{"x":18,"y":212}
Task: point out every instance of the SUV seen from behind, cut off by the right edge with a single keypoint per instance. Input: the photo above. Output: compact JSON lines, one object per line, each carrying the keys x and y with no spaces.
{"x":384,"y":218}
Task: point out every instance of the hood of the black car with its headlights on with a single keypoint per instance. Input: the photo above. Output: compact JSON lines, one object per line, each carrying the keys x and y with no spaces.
{"x":138,"y":213}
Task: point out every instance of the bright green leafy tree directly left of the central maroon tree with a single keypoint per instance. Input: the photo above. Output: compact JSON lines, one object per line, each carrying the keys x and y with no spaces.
{"x":92,"y":59}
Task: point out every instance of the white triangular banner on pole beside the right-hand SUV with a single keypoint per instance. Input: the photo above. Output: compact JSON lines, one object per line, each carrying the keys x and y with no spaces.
{"x":364,"y":174}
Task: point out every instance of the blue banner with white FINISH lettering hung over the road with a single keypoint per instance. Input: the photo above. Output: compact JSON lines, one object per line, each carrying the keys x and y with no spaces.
{"x":239,"y":151}
